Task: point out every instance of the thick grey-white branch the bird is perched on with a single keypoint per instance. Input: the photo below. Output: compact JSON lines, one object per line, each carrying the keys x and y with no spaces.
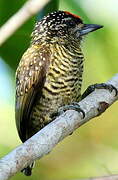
{"x":46,"y":139}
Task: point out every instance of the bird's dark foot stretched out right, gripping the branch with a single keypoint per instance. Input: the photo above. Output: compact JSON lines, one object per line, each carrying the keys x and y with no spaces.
{"x":91,"y":88}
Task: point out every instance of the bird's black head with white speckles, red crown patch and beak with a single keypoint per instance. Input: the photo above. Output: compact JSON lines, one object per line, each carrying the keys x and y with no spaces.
{"x":61,"y":27}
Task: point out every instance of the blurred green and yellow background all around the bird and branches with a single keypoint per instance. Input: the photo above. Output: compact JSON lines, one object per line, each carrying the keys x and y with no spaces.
{"x":93,"y":149}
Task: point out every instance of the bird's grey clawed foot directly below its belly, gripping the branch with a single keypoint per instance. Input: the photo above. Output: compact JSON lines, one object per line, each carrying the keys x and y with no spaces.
{"x":74,"y":106}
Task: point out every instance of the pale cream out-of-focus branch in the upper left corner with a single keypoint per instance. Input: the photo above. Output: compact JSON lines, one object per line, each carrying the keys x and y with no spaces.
{"x":30,"y":8}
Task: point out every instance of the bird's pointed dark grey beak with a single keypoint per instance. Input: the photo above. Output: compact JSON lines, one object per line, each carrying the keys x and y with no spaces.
{"x":89,"y":28}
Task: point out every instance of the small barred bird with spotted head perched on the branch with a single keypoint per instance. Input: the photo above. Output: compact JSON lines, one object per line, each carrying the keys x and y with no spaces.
{"x":49,"y":74}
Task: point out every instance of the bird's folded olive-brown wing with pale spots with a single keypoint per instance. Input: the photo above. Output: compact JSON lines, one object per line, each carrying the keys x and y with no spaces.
{"x":30,"y":78}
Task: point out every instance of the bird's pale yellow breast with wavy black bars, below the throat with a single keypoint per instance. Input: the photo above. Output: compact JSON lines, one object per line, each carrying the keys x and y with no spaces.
{"x":64,"y":77}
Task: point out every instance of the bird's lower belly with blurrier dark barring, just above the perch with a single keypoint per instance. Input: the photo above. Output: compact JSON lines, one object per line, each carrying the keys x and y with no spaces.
{"x":49,"y":102}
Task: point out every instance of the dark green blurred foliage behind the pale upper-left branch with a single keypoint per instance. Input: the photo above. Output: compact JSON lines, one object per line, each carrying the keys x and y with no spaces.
{"x":12,"y":50}
